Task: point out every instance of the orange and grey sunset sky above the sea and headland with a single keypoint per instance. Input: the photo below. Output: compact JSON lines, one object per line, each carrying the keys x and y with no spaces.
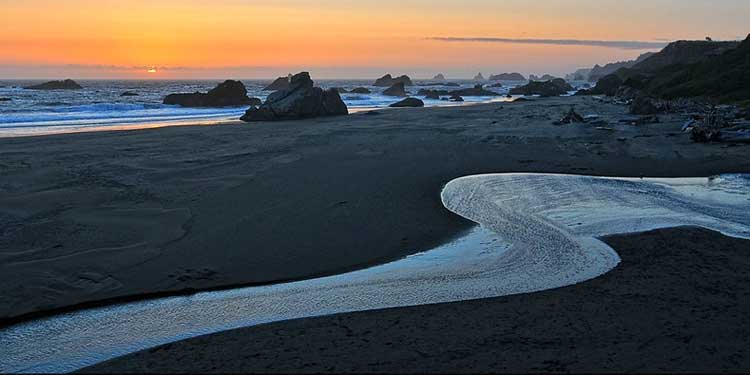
{"x":220,"y":39}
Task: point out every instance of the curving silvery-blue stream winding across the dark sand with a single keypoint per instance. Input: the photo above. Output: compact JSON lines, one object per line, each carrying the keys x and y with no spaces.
{"x":537,"y":232}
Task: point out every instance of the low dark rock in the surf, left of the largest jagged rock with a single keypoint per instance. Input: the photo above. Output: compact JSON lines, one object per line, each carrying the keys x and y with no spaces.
{"x":227,"y":94}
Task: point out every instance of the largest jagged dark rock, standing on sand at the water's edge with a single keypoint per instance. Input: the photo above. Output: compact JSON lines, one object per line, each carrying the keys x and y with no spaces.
{"x":300,"y":100}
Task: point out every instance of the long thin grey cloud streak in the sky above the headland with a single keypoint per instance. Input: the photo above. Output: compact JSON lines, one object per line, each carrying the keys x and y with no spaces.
{"x":624,"y":44}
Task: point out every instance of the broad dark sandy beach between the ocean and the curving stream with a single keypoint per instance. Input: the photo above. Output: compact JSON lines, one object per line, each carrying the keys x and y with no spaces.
{"x":98,"y":216}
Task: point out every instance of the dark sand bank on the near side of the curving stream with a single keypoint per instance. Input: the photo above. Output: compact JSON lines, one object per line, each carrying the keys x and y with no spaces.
{"x":679,"y":302}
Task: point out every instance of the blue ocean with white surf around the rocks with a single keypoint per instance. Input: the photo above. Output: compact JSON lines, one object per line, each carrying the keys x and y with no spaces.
{"x":100,"y":104}
